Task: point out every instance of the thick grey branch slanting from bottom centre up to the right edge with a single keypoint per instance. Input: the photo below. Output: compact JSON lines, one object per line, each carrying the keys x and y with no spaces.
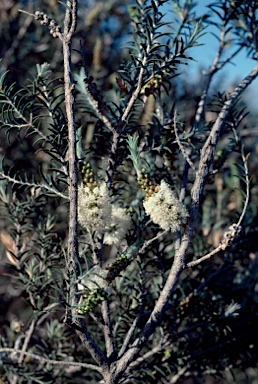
{"x":207,"y":156}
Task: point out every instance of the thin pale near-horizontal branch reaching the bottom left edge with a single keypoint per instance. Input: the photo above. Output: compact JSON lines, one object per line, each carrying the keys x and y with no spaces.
{"x":49,"y":361}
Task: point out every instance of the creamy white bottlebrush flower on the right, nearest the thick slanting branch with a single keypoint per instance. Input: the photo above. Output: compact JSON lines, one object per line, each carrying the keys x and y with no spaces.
{"x":165,"y":209}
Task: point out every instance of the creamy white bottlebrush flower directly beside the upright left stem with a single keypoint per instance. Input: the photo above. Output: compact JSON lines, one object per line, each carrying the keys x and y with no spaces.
{"x":94,"y":208}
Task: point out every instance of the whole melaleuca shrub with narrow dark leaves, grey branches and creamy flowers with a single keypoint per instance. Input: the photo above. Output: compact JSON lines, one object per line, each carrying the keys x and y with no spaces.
{"x":120,"y":202}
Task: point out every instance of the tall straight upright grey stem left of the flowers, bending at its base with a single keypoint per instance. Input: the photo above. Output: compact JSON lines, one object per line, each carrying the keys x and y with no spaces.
{"x":73,"y":251}
